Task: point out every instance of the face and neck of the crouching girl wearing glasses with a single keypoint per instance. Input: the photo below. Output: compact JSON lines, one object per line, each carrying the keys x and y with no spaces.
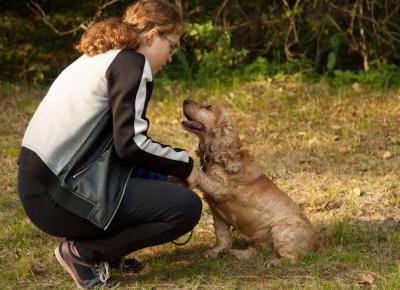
{"x":158,"y":48}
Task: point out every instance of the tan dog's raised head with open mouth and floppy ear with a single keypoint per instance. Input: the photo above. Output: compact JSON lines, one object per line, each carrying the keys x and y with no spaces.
{"x":219,"y":139}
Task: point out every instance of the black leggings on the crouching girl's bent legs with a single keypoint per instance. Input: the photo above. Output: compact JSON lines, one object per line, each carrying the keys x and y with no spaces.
{"x":152,"y":212}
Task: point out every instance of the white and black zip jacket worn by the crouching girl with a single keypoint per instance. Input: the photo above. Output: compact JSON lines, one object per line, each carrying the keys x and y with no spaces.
{"x":90,"y":131}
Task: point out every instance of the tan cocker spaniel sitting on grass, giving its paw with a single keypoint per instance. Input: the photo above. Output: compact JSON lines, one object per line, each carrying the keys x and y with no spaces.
{"x":241,"y":196}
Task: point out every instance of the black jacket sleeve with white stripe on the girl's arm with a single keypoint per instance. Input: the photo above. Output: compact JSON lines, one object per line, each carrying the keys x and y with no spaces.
{"x":129,"y":88}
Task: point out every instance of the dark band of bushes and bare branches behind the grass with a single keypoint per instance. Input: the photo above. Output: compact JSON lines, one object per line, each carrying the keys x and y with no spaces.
{"x":341,"y":39}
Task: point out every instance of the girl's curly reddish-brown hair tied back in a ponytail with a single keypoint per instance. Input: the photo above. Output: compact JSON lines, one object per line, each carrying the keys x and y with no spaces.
{"x":116,"y":33}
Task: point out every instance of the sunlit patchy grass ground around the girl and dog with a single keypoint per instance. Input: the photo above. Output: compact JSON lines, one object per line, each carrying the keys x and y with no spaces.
{"x":336,"y":152}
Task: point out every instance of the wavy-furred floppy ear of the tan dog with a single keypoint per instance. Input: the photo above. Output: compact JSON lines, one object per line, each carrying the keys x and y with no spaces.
{"x":226,"y":147}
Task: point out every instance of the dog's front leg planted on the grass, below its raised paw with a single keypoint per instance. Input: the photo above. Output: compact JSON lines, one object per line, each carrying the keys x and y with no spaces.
{"x":223,"y":236}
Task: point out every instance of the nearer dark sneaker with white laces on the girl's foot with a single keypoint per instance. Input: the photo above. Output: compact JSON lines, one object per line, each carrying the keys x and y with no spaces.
{"x":85,"y":274}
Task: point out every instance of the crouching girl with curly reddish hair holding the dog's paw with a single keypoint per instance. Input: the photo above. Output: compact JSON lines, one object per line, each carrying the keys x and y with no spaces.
{"x":88,"y":171}
